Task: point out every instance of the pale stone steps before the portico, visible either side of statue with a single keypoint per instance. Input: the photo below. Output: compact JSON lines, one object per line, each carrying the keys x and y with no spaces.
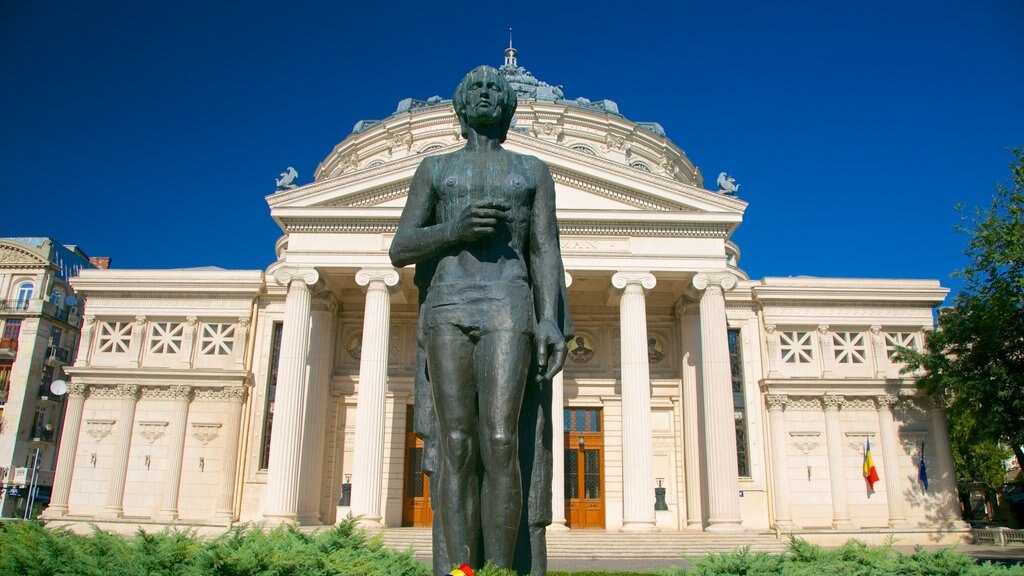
{"x":586,"y":545}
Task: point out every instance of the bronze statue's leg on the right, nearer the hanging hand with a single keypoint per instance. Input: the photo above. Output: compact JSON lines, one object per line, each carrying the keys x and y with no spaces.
{"x":502,"y":363}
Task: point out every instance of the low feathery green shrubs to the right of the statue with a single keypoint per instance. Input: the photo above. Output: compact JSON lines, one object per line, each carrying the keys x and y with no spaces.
{"x":852,"y":559}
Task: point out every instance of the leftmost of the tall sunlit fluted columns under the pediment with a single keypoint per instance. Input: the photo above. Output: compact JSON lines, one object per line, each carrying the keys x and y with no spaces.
{"x":281,"y":501}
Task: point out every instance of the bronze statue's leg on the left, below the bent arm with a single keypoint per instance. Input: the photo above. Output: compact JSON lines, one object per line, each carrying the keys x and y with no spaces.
{"x":450,"y":357}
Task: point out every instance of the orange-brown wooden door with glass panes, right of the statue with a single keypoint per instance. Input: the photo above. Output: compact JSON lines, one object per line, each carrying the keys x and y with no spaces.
{"x":584,"y":468}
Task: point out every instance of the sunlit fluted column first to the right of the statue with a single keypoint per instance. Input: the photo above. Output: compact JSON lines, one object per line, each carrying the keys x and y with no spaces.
{"x":638,"y":479}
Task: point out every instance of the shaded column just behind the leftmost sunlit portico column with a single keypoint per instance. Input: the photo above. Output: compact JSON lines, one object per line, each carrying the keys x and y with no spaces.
{"x":318,"y":385}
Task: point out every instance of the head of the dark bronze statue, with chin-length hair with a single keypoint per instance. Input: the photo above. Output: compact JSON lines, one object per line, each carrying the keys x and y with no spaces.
{"x":485,"y":84}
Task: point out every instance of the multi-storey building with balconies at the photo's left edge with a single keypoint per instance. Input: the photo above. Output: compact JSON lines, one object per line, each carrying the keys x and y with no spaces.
{"x":39,"y":328}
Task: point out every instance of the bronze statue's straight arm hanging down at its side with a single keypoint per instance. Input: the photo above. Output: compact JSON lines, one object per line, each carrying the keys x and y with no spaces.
{"x":546,"y":275}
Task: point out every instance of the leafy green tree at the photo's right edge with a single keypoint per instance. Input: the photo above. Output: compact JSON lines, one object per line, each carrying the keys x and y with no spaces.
{"x":975,"y":359}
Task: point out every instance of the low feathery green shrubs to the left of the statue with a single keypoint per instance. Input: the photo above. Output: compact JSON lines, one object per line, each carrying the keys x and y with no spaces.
{"x":27,"y":549}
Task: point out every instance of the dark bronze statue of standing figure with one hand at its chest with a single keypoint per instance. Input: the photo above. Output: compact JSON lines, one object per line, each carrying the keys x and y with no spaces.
{"x":480,"y":224}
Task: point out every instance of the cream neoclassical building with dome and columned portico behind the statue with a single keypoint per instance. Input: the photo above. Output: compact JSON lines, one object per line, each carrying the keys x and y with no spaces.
{"x":695,"y":398}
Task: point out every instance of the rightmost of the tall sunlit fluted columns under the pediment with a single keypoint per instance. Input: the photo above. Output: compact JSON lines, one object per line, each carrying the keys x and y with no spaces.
{"x":720,"y":432}
